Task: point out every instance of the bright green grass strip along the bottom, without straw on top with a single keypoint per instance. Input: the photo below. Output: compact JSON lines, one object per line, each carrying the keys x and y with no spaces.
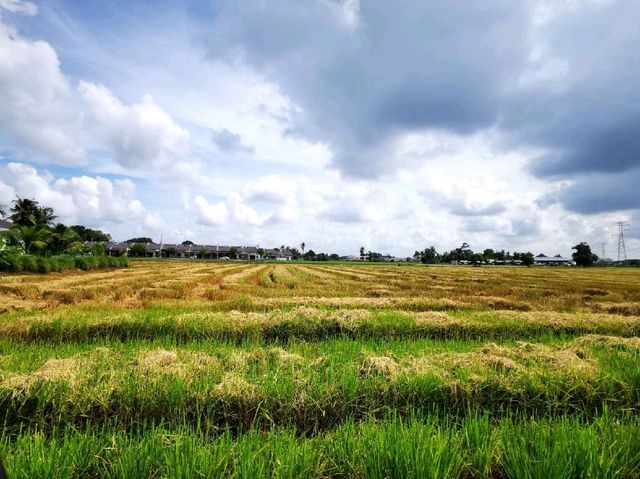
{"x":430,"y":447}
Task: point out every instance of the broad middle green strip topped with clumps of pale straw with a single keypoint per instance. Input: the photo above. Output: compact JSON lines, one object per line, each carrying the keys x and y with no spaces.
{"x":313,"y":387}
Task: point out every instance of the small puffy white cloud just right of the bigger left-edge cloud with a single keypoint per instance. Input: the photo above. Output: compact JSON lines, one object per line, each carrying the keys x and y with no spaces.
{"x":140,"y":135}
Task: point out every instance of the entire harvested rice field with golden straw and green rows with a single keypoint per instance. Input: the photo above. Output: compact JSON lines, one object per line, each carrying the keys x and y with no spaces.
{"x":181,"y":369}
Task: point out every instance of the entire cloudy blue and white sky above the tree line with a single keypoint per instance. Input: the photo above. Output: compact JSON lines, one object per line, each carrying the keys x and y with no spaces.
{"x":339,"y":123}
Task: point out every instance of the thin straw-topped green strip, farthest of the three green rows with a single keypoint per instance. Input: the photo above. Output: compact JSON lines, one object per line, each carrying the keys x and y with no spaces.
{"x":309,"y":324}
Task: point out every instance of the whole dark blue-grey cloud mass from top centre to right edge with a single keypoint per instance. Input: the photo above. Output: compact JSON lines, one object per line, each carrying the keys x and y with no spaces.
{"x":456,"y":67}
